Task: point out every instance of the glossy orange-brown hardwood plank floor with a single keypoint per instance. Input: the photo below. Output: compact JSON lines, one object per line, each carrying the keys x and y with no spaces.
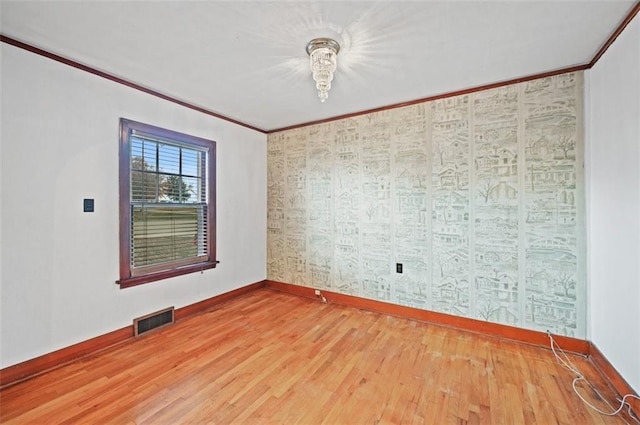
{"x":275,"y":358}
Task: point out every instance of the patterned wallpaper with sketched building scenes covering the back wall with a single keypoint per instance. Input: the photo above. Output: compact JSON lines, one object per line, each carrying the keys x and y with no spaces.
{"x":479,"y":197}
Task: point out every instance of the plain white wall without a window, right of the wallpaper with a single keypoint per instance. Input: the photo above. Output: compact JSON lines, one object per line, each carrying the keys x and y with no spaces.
{"x":613,"y":203}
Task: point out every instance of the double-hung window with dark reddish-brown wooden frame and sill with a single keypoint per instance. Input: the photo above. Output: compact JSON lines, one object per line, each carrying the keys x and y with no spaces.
{"x":167,"y":203}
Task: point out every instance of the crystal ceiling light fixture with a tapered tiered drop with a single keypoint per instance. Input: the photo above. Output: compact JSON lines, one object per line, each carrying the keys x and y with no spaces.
{"x":322,"y":57}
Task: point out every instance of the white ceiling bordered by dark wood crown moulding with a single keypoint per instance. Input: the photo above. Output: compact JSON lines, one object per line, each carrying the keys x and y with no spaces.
{"x":246,"y":60}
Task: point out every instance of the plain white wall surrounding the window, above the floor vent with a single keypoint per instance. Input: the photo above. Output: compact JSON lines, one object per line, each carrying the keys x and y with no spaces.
{"x":59,"y":144}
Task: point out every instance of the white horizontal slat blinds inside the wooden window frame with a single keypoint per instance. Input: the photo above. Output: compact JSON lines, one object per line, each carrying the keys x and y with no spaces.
{"x":168,"y":204}
